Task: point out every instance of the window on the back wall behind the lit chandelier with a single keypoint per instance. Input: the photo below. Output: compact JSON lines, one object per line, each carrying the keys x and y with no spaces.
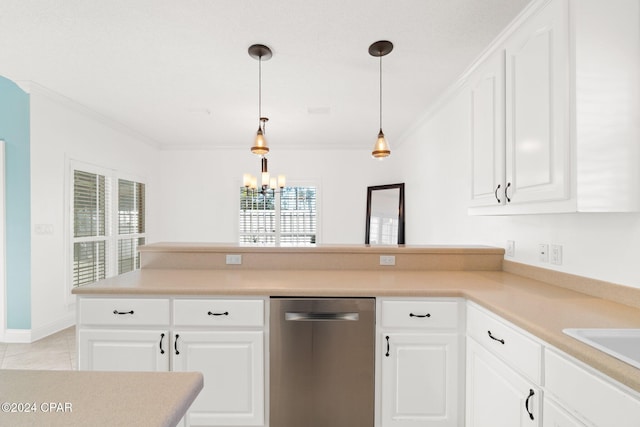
{"x":285,"y":219}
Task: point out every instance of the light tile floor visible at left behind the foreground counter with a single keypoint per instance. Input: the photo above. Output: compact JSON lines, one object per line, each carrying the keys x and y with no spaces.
{"x":55,"y":352}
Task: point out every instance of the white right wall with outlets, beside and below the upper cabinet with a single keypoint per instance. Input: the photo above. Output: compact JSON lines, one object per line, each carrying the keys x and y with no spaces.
{"x":601,"y":246}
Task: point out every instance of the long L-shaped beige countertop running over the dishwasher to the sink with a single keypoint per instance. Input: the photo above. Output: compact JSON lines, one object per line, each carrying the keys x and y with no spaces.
{"x":538,"y":307}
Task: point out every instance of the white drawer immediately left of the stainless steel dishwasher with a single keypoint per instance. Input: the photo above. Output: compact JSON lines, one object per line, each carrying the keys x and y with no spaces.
{"x":218,"y":312}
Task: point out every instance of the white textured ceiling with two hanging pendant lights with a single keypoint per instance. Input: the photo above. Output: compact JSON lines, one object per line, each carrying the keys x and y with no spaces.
{"x":178,"y":72}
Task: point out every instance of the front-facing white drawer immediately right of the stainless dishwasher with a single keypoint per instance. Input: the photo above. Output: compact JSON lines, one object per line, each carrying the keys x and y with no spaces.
{"x":421,"y":314}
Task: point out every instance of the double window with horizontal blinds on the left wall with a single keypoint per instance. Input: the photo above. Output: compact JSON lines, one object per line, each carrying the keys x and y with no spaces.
{"x":98,"y":250}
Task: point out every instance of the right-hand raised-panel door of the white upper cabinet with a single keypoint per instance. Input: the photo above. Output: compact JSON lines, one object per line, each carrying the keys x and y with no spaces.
{"x":537,"y":108}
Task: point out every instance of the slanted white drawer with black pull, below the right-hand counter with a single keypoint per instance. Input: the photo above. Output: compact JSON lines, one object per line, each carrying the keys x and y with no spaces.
{"x":506,"y":341}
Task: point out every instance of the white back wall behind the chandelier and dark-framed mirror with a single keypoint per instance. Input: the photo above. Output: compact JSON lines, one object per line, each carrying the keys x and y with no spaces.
{"x":200,"y":190}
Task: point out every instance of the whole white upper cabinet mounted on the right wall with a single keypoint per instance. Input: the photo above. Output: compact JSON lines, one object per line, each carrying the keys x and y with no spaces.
{"x":553,"y":112}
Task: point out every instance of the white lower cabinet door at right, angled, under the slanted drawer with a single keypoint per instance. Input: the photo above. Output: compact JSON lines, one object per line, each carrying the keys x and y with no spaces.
{"x":496,"y":395}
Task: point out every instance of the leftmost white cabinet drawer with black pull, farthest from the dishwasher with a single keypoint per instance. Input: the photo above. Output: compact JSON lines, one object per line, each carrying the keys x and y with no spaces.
{"x":123,"y":311}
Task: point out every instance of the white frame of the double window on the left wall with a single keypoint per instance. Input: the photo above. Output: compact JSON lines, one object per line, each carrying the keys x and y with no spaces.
{"x":111,"y":225}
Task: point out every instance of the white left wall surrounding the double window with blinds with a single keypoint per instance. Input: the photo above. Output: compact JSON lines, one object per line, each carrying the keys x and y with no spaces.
{"x":63,"y":131}
